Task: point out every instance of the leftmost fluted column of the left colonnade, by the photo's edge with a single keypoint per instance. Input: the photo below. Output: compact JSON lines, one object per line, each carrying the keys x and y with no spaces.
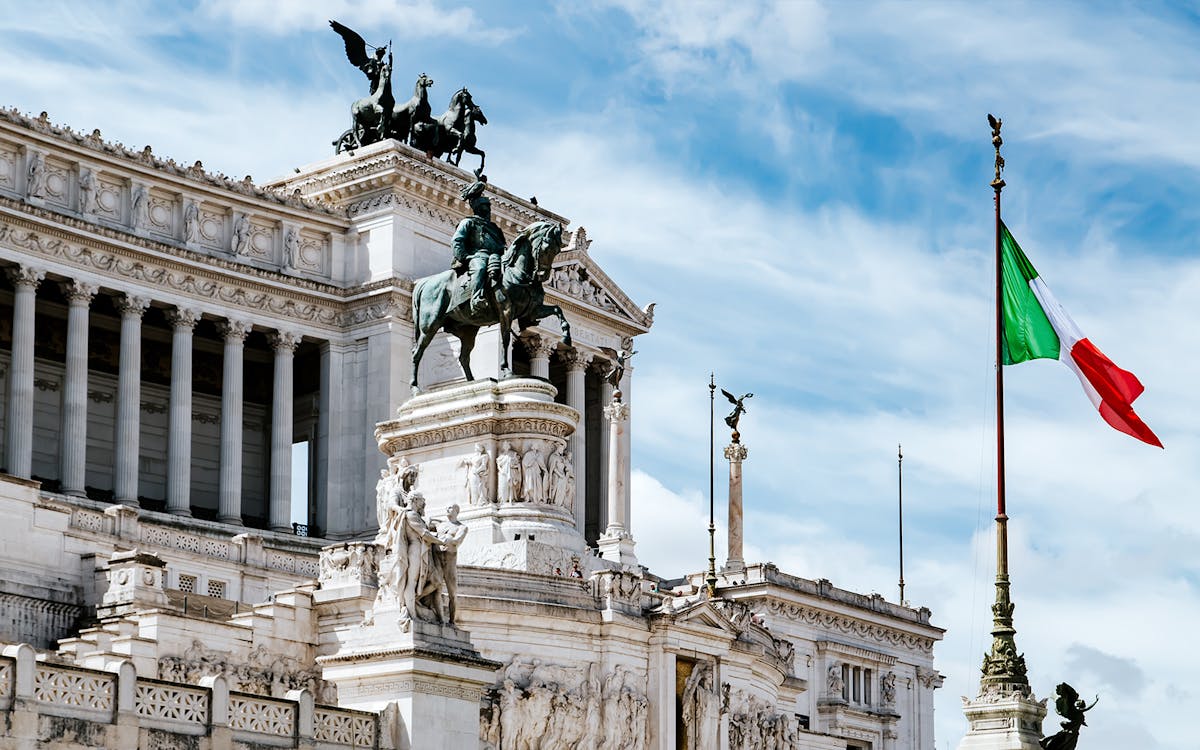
{"x":20,"y":428}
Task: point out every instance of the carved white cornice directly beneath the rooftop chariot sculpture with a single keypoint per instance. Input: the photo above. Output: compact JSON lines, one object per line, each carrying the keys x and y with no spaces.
{"x":392,"y":169}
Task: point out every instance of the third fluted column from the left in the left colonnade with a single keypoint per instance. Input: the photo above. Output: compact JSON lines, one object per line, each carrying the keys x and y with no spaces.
{"x":129,"y":400}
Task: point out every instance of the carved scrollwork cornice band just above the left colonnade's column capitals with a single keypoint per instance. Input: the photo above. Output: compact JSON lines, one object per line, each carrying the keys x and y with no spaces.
{"x":128,"y":259}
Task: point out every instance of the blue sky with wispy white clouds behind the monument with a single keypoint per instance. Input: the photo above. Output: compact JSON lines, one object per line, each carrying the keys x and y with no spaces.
{"x":803,"y":190}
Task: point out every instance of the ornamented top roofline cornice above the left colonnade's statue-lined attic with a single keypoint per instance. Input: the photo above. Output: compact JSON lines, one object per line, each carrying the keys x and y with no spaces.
{"x":195,"y":177}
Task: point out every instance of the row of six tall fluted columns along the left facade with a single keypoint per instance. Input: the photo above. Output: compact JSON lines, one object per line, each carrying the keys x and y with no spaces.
{"x":74,"y":435}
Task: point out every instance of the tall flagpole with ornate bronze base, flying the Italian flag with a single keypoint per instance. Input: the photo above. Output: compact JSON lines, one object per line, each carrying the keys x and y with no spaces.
{"x":1004,"y":668}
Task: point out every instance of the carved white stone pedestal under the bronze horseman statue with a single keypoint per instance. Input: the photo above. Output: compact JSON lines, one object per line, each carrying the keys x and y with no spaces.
{"x":520,"y":527}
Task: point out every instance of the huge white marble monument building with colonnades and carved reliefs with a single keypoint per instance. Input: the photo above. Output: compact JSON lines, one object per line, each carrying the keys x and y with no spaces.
{"x":169,"y":341}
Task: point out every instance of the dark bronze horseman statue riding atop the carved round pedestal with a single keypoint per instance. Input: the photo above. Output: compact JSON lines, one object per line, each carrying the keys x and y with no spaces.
{"x":488,"y":284}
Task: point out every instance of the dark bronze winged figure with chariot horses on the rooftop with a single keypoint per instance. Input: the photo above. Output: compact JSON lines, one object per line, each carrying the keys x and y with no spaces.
{"x":379,"y":116}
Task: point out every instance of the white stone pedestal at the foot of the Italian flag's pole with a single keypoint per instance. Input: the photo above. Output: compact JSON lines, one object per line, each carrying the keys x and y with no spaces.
{"x":1004,"y":721}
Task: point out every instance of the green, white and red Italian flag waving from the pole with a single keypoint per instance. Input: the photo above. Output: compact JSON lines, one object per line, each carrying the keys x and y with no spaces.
{"x":1037,"y":327}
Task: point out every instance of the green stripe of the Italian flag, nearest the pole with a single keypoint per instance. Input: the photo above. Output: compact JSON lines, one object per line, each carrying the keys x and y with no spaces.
{"x":1028,"y":332}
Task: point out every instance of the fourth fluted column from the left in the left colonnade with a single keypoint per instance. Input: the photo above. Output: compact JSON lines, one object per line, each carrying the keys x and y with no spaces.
{"x":179,"y":439}
